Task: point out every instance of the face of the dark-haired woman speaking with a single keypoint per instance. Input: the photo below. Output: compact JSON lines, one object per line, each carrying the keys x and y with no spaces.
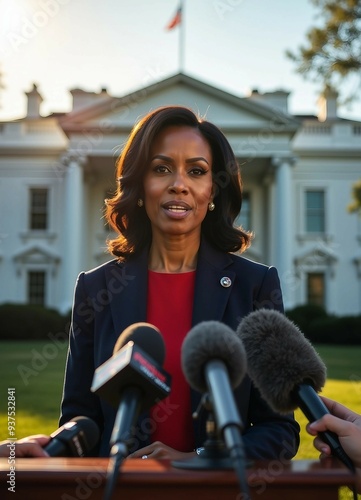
{"x":178,"y":181}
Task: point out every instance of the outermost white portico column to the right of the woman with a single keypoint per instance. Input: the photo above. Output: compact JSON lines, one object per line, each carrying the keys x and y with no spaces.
{"x":285,"y":220}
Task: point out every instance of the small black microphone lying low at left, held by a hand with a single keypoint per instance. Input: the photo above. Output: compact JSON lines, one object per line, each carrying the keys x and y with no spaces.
{"x":73,"y":439}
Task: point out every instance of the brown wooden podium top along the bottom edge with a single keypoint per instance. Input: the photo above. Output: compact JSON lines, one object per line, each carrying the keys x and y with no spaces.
{"x":84,"y":478}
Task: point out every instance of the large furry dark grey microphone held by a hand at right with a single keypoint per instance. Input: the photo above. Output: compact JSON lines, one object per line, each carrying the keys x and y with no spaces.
{"x":286,"y":369}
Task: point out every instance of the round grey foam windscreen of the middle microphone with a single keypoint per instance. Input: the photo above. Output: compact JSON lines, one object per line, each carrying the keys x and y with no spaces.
{"x":207,"y":341}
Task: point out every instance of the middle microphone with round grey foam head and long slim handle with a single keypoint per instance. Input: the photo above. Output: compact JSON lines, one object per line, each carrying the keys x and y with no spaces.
{"x":214,"y":360}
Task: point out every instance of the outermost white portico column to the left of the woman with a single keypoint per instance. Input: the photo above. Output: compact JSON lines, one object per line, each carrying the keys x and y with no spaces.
{"x":73,"y":233}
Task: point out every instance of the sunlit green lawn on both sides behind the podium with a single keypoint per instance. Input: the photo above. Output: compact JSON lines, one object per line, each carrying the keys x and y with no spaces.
{"x":36,"y":369}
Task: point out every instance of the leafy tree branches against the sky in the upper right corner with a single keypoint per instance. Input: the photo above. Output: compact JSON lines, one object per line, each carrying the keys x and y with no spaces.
{"x":333,"y":50}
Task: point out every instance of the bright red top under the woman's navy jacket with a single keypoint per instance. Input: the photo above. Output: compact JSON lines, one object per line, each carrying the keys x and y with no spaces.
{"x":169,"y":308}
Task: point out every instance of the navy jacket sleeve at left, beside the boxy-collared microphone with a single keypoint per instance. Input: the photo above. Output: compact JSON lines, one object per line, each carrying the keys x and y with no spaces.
{"x":77,"y":399}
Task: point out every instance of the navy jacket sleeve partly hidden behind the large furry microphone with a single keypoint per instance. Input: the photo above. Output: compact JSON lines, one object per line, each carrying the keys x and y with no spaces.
{"x":269,"y":435}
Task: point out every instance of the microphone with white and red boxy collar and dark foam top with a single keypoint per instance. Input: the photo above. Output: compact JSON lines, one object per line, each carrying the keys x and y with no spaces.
{"x":132,"y":380}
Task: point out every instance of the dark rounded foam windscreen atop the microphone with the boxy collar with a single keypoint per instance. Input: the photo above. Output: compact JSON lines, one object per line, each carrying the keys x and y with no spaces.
{"x":147,"y":337}
